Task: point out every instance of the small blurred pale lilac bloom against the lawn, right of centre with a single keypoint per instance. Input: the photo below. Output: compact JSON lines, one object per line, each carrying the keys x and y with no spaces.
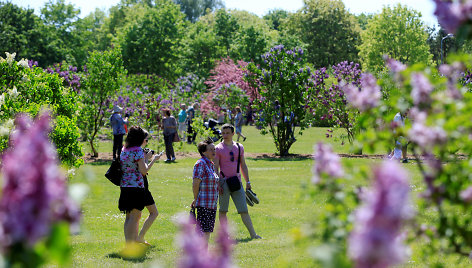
{"x":326,"y":162}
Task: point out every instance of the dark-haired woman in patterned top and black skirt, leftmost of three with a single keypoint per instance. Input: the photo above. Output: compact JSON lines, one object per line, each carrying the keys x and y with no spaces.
{"x":134,"y":195}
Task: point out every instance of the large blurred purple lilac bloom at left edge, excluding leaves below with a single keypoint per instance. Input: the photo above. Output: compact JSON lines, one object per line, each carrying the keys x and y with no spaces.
{"x":34,"y":196}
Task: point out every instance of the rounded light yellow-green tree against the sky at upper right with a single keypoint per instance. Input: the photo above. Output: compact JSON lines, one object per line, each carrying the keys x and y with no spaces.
{"x":397,"y":32}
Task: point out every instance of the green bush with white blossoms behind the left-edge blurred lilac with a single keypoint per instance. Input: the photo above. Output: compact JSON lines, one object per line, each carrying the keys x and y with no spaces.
{"x":28,"y":90}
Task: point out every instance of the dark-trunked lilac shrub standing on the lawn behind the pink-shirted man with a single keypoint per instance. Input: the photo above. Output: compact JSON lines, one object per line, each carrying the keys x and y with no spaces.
{"x":284,"y":85}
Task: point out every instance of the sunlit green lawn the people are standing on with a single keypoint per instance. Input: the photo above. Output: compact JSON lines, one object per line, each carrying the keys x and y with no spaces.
{"x":278,"y":182}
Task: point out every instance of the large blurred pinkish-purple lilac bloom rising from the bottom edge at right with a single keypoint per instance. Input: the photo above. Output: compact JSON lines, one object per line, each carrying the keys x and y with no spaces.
{"x":376,"y":240}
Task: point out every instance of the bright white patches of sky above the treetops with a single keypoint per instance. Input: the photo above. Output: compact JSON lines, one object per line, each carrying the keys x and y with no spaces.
{"x":261,"y":7}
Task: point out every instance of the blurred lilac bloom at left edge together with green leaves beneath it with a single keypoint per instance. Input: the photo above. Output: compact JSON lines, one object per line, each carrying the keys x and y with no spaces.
{"x":35,"y":209}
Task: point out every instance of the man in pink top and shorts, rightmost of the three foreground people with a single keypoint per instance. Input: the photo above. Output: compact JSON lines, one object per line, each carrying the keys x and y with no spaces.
{"x":228,"y":155}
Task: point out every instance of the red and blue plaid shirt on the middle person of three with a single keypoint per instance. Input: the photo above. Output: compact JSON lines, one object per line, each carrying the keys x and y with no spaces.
{"x":208,"y":192}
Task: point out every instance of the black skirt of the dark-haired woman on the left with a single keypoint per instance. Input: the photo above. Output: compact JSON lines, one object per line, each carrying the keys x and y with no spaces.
{"x":134,"y":198}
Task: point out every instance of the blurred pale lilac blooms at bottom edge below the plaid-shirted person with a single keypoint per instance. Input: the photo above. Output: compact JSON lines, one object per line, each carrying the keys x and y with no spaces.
{"x":195,"y":253}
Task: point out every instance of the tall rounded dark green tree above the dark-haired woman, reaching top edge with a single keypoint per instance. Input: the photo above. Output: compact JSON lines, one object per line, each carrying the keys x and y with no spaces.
{"x":151,"y":43}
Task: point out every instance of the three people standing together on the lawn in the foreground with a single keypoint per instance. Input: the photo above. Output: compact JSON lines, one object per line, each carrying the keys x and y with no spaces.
{"x":210,"y":172}
